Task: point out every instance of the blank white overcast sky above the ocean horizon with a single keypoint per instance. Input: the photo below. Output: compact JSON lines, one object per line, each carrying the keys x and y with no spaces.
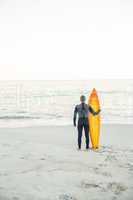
{"x":73,"y":39}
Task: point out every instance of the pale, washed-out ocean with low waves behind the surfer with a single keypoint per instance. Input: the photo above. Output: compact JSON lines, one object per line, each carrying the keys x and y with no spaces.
{"x":38,"y":103}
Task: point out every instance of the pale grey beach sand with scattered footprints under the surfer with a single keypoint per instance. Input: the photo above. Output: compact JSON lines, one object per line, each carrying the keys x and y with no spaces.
{"x":43,"y":163}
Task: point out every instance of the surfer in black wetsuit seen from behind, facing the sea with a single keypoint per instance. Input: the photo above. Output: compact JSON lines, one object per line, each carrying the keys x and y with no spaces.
{"x":83,"y":110}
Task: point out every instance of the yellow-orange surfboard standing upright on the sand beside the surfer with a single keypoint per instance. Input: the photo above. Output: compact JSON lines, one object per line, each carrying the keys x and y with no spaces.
{"x":94,"y":121}
